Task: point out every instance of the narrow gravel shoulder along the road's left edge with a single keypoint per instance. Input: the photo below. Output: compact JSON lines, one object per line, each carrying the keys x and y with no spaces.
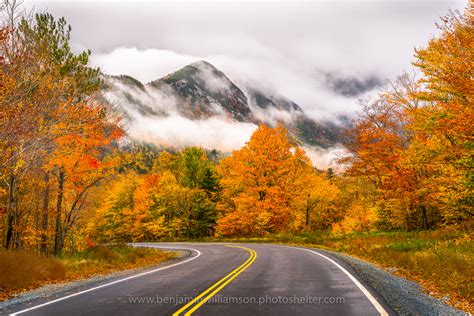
{"x":51,"y":290}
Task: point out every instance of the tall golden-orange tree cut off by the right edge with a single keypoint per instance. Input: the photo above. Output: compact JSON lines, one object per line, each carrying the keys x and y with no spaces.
{"x":445,"y":126}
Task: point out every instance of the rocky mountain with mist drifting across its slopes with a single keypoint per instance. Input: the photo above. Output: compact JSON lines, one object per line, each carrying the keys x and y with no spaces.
{"x":200,"y":91}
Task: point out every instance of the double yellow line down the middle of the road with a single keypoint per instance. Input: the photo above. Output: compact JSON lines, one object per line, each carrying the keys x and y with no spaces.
{"x":202,"y":298}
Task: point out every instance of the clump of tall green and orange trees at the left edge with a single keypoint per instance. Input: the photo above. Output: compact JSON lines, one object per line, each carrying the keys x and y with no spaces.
{"x":53,"y":132}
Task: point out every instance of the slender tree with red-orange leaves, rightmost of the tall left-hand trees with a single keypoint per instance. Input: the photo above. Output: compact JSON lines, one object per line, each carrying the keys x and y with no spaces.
{"x":82,"y":160}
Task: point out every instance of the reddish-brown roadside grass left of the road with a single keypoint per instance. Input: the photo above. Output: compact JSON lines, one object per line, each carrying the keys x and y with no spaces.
{"x":22,"y":270}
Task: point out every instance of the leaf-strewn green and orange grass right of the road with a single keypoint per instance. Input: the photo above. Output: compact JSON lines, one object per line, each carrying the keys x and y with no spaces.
{"x":442,"y":260}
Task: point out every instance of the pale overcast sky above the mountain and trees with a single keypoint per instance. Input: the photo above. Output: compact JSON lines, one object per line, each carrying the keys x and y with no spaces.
{"x":290,"y":48}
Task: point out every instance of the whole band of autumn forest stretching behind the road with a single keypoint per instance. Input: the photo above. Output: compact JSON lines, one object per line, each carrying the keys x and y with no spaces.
{"x":70,"y":179}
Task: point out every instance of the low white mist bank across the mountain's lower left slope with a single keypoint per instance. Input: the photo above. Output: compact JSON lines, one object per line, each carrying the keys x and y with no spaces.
{"x":153,"y":117}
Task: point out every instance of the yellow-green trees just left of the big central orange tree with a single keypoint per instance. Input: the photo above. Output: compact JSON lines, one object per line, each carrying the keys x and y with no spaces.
{"x":176,"y":197}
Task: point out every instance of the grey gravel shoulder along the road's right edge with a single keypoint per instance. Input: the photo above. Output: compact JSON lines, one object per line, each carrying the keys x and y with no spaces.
{"x":405,"y":297}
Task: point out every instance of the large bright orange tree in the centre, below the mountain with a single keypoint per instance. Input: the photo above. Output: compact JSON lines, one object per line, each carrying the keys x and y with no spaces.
{"x":258,"y":183}
